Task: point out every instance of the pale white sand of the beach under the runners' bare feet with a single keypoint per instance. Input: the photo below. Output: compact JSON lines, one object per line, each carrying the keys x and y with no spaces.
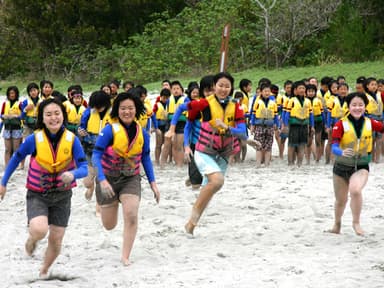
{"x":263,"y":229}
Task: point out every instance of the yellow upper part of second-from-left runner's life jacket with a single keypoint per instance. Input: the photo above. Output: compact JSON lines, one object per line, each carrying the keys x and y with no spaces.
{"x":120,"y":140}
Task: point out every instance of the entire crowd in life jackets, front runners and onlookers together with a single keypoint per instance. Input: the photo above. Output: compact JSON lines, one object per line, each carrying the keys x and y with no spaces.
{"x":108,"y":139}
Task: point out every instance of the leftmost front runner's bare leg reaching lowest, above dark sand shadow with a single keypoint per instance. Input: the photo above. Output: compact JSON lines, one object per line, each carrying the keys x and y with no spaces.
{"x":55,"y":238}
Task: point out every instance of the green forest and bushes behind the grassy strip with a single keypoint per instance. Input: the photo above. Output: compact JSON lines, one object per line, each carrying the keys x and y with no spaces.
{"x":95,"y":41}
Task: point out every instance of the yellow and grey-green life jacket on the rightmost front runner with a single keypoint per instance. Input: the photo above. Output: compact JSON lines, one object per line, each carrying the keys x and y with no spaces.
{"x":362,"y":146}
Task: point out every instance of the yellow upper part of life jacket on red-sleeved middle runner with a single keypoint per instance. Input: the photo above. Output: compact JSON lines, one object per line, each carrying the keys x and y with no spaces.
{"x":217,"y":112}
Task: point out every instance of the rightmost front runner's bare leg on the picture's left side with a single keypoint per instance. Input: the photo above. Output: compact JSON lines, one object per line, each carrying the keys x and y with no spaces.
{"x":340,"y":186}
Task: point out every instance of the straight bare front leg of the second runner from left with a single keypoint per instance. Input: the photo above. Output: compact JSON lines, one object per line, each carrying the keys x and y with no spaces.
{"x":130,"y":205}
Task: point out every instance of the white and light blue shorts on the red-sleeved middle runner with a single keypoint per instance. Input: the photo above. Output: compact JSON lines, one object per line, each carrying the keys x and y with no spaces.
{"x":208,"y":164}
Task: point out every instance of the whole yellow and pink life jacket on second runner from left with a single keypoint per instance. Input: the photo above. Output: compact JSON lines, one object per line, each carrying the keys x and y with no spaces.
{"x":123,"y":157}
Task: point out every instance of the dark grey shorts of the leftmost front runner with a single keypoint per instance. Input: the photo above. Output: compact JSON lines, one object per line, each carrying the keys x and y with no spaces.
{"x":55,"y":205}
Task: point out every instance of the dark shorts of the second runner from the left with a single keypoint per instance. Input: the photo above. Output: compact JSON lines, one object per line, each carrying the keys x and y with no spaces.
{"x":120,"y":185}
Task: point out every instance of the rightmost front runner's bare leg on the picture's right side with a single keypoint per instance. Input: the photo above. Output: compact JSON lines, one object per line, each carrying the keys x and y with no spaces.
{"x":356,"y":185}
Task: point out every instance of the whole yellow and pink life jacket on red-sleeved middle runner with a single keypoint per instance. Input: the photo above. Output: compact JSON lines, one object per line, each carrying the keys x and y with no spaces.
{"x":214,"y":140}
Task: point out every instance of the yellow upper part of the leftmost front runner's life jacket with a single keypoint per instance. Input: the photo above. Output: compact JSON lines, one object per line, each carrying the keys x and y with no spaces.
{"x":54,"y":161}
